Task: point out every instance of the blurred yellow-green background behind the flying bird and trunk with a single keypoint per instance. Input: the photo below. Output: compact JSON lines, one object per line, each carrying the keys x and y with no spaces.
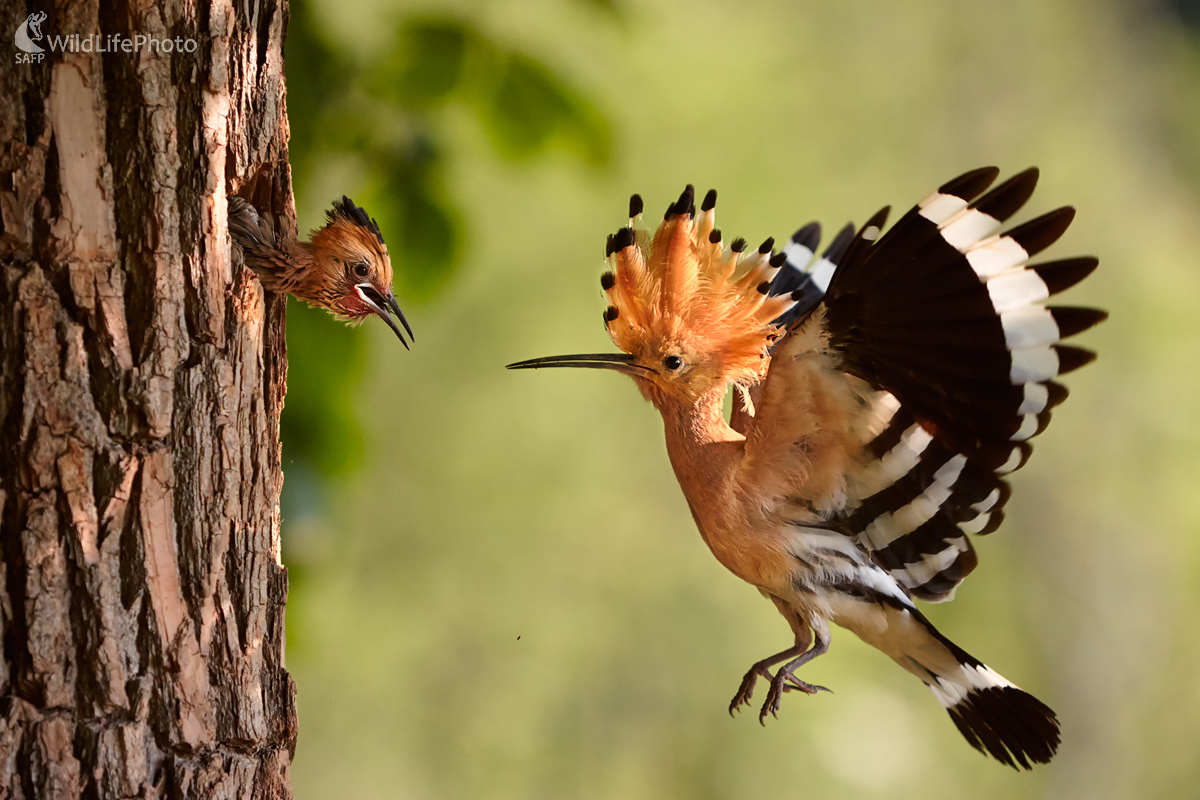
{"x":497,"y":590}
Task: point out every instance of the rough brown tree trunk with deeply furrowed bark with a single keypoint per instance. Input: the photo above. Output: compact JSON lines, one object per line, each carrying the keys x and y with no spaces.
{"x":142,"y":594}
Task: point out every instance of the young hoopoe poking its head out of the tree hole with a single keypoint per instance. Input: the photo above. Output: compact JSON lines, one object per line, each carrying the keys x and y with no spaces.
{"x":345,"y":269}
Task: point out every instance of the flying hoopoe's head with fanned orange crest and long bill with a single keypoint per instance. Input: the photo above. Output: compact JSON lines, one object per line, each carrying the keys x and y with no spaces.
{"x":692,"y":315}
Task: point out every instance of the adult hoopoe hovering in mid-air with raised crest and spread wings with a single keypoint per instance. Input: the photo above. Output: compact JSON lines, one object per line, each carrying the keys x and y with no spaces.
{"x":883,"y":393}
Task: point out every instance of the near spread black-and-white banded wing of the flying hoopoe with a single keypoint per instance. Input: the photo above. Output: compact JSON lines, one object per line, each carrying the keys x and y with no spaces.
{"x":944,"y":322}
